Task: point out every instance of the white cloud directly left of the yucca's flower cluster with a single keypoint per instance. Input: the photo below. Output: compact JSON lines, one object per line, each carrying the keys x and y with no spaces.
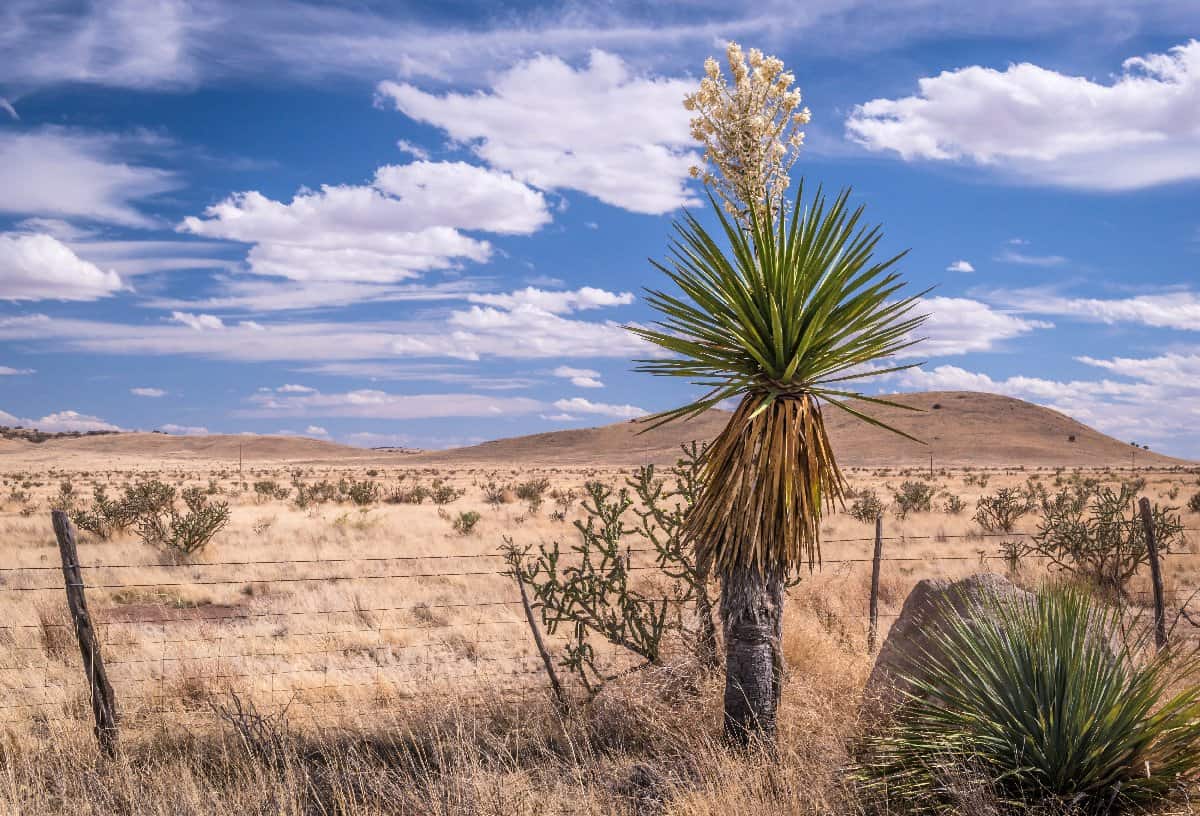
{"x":601,"y":130}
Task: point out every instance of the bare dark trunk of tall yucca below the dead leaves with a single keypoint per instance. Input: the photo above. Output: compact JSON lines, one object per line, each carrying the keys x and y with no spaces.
{"x":753,"y":622}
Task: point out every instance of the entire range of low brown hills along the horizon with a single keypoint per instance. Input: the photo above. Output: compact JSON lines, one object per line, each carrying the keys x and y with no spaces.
{"x":961,"y":428}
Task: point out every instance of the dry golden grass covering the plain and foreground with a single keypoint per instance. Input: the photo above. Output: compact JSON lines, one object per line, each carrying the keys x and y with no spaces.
{"x":423,"y":694}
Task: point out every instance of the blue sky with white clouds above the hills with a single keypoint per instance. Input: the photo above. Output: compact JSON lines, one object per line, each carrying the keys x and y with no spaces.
{"x":427,"y":224}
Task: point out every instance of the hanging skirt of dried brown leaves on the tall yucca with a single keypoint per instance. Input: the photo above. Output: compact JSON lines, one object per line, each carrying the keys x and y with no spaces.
{"x":767,"y":477}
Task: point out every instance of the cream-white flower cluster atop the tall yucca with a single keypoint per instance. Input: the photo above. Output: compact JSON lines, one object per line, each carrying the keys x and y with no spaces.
{"x":751,"y":130}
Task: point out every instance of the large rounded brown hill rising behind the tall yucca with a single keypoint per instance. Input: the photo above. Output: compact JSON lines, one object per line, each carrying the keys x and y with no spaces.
{"x":959,"y":428}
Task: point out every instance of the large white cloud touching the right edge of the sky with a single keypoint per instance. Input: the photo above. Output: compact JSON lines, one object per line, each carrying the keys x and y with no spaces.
{"x":1141,"y":130}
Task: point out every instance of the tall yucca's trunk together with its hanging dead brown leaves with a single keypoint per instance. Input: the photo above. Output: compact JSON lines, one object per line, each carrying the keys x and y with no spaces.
{"x":767,"y":478}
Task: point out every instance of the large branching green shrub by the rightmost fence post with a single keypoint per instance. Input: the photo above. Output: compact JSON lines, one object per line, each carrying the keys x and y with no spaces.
{"x":1097,"y":536}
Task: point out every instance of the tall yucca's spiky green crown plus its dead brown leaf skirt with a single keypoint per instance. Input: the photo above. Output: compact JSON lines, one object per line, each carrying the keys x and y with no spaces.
{"x":783,"y":314}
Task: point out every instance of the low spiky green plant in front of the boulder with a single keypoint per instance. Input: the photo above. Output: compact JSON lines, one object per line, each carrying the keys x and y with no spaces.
{"x":1030,"y":700}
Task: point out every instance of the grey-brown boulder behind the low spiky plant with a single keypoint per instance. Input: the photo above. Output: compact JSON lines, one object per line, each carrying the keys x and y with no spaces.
{"x":928,"y":607}
